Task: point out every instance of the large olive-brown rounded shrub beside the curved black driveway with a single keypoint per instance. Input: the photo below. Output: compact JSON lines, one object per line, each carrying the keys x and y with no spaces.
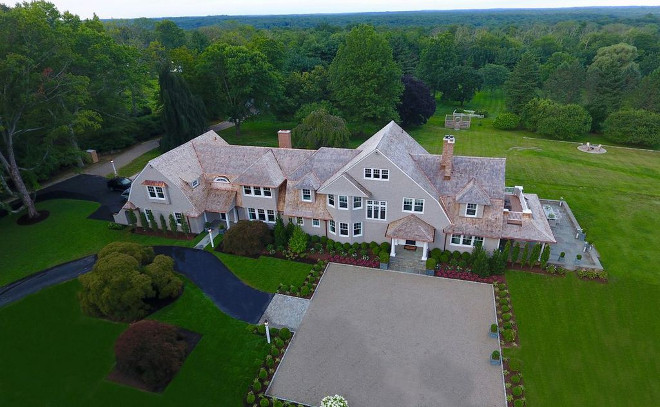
{"x":120,"y":287}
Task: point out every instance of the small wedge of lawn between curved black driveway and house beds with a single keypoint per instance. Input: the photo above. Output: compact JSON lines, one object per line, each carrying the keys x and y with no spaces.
{"x":265,"y":273}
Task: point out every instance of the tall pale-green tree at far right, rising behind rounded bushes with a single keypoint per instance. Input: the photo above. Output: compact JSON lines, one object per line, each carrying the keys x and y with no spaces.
{"x":611,"y":75}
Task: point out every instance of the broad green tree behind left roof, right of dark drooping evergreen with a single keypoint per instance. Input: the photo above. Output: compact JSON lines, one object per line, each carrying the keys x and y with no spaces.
{"x":236,"y":82}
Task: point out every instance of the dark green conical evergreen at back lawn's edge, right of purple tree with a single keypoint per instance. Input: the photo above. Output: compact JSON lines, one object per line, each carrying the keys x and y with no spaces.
{"x":522,"y":85}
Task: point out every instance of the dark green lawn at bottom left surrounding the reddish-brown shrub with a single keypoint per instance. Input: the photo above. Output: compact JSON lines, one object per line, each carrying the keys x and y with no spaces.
{"x":53,"y":355}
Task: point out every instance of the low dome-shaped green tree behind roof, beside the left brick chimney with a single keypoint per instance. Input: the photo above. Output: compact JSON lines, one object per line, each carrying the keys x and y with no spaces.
{"x":321,"y":129}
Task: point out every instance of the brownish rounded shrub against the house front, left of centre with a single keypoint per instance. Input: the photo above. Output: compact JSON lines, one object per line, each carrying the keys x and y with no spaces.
{"x":247,"y":238}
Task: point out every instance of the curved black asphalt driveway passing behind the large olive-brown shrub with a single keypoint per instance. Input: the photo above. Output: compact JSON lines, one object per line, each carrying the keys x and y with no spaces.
{"x":228,"y":292}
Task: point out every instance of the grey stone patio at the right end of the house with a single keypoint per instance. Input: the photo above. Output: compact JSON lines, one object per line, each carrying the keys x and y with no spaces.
{"x":570,"y":239}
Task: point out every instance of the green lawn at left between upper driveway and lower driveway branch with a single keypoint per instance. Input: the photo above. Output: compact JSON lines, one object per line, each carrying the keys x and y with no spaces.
{"x":66,"y":235}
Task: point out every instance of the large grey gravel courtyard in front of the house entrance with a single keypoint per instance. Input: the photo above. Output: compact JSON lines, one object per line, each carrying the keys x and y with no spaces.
{"x":384,"y":338}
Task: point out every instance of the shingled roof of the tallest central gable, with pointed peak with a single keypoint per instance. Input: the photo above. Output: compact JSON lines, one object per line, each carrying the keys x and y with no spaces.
{"x":397,"y":145}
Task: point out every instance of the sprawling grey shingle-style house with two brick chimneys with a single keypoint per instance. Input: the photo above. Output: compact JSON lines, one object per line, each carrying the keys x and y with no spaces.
{"x":389,"y":188}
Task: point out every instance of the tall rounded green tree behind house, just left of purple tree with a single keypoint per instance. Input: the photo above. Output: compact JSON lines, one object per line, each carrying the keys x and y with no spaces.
{"x":364,"y":79}
